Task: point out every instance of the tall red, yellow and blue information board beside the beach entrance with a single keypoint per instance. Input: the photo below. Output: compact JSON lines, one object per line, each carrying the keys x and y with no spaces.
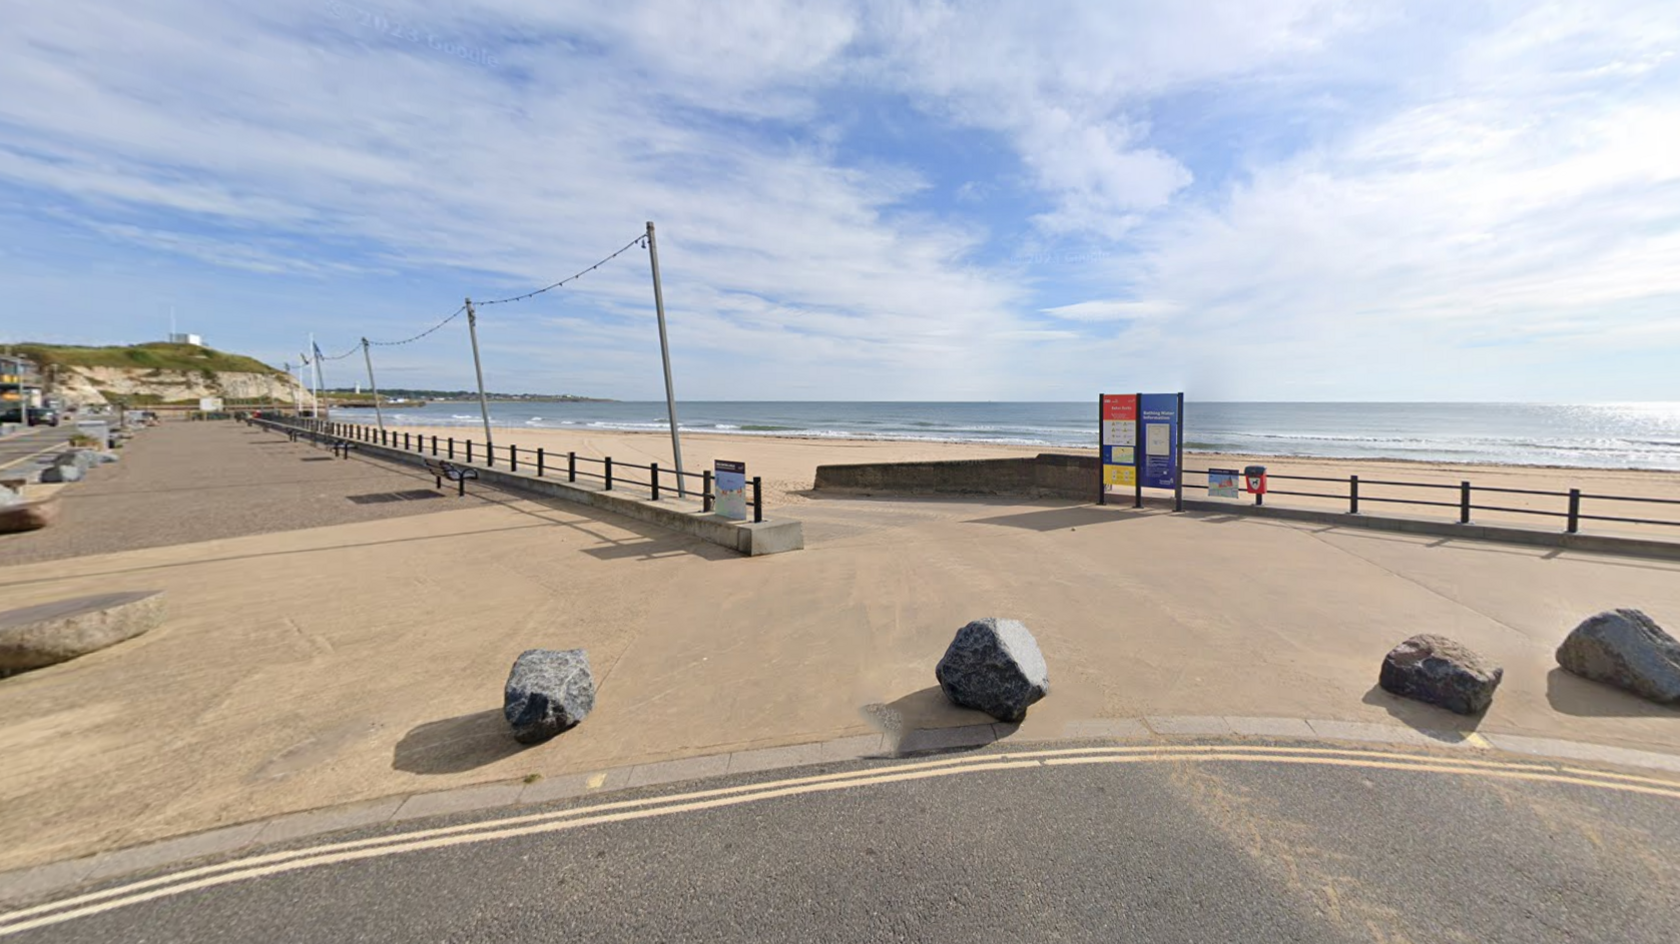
{"x":1142,"y":443}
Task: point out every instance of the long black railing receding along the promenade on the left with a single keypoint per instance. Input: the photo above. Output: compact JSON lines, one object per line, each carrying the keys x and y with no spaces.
{"x":537,"y":463}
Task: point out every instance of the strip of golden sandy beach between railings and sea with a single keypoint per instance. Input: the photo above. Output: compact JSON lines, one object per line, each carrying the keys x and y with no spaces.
{"x":789,"y":468}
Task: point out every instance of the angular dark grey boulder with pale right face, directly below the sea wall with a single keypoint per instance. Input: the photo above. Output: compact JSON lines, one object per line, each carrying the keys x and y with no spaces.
{"x":995,"y":666}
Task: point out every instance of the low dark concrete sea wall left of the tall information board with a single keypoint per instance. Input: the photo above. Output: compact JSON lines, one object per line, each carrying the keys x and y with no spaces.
{"x":1044,"y":476}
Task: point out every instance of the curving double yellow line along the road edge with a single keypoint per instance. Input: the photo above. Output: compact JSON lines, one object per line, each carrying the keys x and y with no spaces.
{"x":626,"y":810}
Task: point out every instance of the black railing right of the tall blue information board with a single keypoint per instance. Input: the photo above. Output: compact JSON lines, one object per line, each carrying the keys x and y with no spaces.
{"x":1570,"y":501}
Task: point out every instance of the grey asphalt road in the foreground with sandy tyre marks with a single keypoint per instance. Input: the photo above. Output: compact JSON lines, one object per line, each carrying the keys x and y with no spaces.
{"x":1148,"y":851}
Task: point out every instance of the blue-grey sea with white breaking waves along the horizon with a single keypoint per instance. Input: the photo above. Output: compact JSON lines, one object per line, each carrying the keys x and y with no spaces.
{"x":1602,"y":436}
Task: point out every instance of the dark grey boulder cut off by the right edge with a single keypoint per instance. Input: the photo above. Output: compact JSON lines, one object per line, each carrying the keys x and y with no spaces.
{"x":1629,"y":651}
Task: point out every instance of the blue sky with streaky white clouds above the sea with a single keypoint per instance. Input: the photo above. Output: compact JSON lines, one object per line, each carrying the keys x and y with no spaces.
{"x":863,"y":201}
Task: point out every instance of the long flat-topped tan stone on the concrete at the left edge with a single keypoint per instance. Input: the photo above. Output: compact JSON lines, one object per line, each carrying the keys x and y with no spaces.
{"x":61,"y":631}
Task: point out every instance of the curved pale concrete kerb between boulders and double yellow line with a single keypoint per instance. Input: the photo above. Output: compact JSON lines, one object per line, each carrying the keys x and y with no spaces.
{"x":43,"y":881}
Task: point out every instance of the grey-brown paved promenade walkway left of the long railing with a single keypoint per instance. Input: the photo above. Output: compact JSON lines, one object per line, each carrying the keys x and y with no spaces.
{"x":182,"y":483}
